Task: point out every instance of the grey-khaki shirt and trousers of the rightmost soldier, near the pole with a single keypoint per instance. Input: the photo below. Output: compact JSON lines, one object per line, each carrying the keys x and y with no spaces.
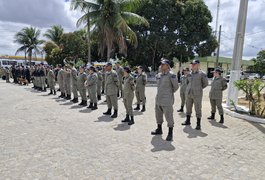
{"x":216,"y":94}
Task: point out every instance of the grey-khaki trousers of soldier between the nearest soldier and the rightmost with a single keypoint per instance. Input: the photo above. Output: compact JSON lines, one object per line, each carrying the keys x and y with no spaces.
{"x":197,"y":101}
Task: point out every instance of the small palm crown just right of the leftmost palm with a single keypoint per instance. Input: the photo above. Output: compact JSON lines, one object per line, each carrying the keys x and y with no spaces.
{"x":54,"y":34}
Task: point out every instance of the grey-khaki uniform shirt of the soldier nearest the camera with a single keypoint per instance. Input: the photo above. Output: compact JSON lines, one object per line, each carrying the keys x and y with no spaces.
{"x":167,"y":85}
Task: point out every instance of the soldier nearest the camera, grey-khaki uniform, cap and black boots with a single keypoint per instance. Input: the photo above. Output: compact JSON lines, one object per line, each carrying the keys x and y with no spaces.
{"x":167,"y":85}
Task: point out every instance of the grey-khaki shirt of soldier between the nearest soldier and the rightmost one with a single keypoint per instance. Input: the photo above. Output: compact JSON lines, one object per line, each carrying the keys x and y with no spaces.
{"x":197,"y":81}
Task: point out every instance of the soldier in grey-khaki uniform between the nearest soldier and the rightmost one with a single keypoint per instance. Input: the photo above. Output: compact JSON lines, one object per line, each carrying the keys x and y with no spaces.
{"x":197,"y":81}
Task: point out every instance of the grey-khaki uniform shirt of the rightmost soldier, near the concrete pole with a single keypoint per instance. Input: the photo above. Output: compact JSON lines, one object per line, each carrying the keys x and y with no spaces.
{"x":218,"y":85}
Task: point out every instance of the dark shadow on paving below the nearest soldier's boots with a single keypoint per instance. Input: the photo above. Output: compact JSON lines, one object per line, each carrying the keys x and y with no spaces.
{"x":161,"y":144}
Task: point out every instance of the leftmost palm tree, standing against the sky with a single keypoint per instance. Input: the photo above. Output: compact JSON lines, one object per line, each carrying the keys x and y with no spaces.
{"x":29,"y":39}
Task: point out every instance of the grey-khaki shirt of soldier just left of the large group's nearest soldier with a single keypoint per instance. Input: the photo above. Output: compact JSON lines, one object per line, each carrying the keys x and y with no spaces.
{"x":111,"y":83}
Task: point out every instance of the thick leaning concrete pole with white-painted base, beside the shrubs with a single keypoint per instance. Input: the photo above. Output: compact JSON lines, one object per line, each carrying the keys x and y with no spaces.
{"x":235,"y":72}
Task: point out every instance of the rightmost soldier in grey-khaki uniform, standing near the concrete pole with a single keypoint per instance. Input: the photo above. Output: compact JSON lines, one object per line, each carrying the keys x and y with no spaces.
{"x":218,"y":85}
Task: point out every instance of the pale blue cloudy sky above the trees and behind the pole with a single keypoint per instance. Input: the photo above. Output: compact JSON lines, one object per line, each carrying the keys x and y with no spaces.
{"x":16,"y":14}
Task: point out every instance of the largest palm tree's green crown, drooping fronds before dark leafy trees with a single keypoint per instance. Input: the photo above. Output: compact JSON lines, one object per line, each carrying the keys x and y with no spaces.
{"x":110,"y":20}
